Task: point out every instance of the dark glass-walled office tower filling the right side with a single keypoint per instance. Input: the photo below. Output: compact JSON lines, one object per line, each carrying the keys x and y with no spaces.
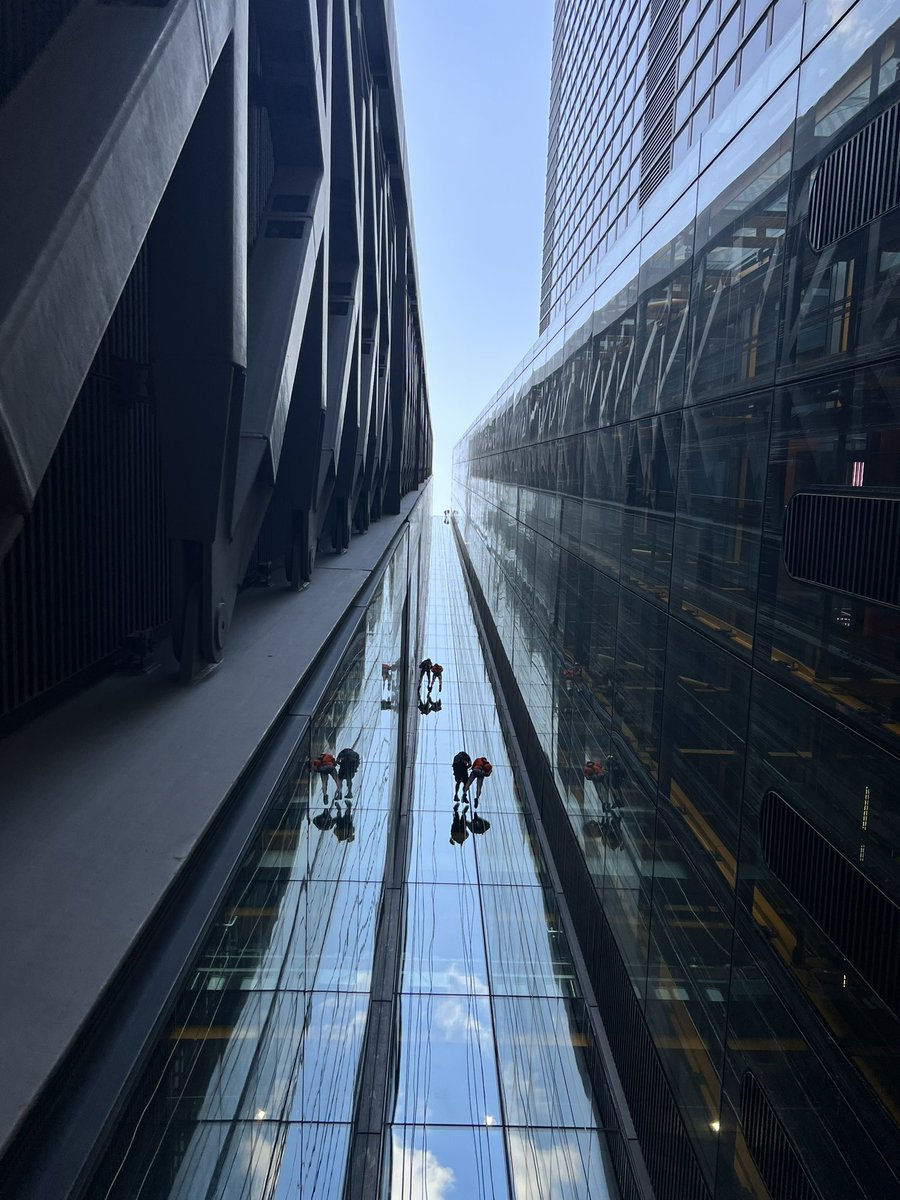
{"x":681,"y":524}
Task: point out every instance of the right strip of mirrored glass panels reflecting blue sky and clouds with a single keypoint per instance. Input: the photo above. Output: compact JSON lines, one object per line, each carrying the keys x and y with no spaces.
{"x":493,"y":1036}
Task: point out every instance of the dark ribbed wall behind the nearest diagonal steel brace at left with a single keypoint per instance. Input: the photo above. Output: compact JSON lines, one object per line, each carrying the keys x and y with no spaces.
{"x":92,"y":565}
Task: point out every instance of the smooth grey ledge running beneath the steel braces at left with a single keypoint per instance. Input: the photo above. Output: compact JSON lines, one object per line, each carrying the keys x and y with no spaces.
{"x":105,"y":799}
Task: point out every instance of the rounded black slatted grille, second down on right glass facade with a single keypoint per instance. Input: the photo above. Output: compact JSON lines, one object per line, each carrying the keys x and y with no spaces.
{"x":845,"y":542}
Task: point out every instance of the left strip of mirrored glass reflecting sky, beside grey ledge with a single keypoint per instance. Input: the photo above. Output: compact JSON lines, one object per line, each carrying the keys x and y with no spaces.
{"x":249,"y":1089}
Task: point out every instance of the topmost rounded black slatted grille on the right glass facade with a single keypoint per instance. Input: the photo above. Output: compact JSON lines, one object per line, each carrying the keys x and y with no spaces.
{"x":857,"y":183}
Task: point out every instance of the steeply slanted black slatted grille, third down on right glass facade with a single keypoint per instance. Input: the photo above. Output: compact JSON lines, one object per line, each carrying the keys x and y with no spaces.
{"x":857,"y":916}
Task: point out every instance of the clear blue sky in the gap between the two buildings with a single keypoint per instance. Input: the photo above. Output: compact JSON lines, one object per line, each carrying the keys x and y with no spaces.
{"x":476,"y":81}
